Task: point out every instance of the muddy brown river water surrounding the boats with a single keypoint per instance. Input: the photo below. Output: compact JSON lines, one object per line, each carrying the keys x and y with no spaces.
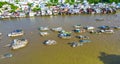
{"x":61,"y":53}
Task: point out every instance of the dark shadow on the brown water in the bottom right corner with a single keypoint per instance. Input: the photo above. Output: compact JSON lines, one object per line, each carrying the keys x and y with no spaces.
{"x":109,"y":58}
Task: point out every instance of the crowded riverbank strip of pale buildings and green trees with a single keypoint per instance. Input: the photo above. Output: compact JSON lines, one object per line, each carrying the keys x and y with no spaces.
{"x":51,"y":8}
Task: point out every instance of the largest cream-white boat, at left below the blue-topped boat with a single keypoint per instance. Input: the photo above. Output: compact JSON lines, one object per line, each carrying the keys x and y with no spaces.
{"x":19,"y":43}
